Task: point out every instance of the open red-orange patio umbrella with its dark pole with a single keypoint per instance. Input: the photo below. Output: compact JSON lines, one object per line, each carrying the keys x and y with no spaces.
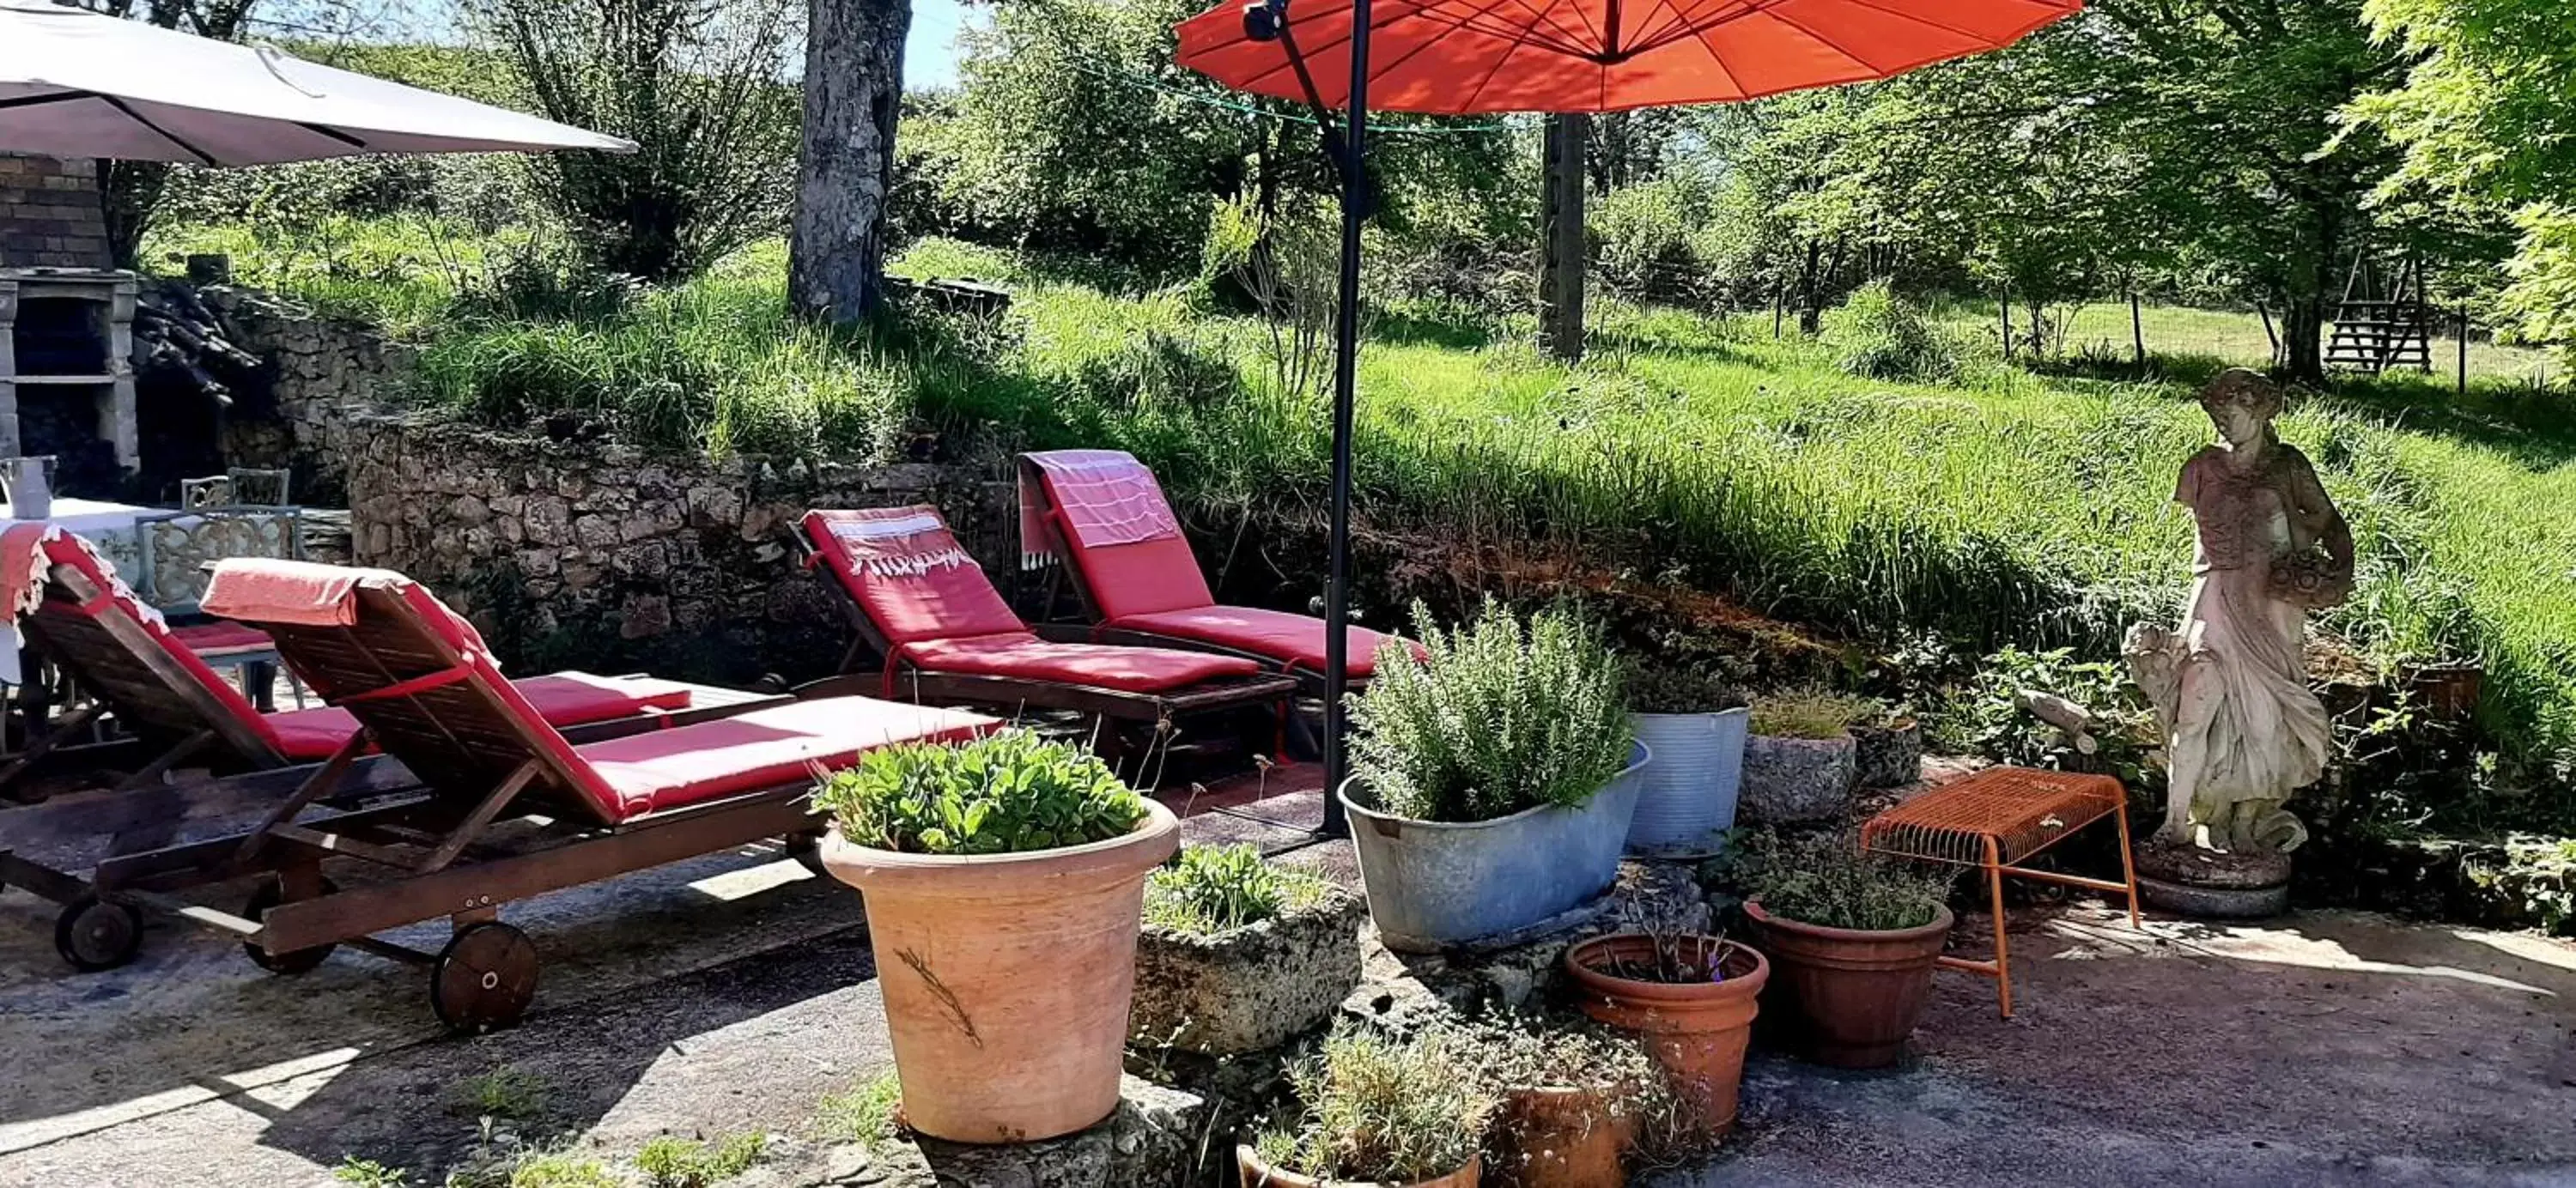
{"x":1459,"y":58}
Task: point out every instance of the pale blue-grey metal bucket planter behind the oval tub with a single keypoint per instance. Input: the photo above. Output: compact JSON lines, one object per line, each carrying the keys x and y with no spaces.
{"x":1694,"y":725}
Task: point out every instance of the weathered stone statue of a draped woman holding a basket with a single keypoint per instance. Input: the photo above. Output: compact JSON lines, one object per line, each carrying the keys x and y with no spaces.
{"x":2242,"y":728}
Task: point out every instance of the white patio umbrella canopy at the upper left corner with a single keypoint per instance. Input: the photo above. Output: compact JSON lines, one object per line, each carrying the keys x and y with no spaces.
{"x":91,"y":86}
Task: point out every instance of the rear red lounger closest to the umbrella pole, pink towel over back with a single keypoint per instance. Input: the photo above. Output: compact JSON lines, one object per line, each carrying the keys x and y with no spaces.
{"x":1135,"y":573}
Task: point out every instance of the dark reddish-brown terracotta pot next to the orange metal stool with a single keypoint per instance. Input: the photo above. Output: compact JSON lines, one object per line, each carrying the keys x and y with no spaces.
{"x":1843,"y":996}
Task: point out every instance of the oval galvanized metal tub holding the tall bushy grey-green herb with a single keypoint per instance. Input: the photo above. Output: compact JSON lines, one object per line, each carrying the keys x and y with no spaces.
{"x":1436,"y":885}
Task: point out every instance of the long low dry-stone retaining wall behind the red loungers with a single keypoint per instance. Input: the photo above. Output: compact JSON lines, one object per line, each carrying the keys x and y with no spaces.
{"x":601,"y":558}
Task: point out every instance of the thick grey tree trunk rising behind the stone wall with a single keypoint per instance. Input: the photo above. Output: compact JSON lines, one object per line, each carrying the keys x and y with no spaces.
{"x":851,"y":102}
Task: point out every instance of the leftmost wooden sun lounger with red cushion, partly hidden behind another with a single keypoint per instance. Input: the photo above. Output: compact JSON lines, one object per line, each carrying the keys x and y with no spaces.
{"x":182,"y":715}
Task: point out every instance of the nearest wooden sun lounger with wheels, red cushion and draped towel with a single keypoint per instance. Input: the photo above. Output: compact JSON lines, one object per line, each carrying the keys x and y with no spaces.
{"x":413,"y":674}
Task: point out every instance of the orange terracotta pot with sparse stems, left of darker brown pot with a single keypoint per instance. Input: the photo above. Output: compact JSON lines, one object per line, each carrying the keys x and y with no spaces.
{"x":1696,"y":1032}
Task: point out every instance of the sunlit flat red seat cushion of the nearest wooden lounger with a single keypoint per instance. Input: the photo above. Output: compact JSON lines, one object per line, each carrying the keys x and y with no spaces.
{"x":761,"y":751}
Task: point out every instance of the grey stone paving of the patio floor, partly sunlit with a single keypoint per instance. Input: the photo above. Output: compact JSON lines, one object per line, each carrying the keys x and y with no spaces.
{"x":735,"y":993}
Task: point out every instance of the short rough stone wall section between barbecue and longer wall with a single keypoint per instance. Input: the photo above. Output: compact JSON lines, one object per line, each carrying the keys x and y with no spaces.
{"x":321,"y":383}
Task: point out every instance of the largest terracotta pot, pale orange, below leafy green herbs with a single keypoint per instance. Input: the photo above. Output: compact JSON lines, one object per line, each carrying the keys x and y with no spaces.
{"x":1009,"y":978}
